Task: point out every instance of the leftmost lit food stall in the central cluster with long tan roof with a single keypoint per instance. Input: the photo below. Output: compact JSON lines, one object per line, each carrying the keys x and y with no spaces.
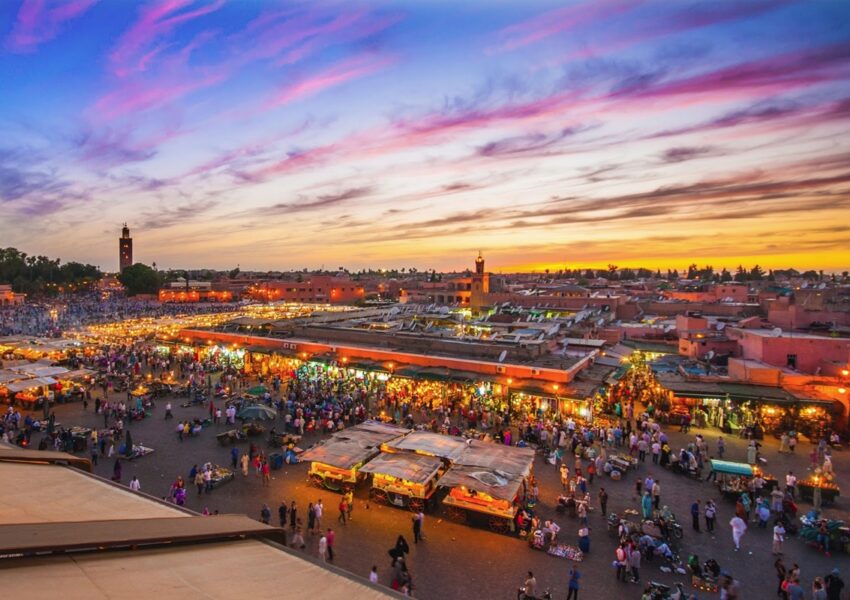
{"x":335,"y":462}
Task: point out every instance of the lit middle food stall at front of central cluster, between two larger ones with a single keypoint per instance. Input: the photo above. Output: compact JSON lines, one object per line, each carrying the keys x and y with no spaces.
{"x":404,"y":479}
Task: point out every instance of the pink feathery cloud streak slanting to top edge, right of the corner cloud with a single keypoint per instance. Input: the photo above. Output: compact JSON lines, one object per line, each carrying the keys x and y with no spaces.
{"x":154,"y":22}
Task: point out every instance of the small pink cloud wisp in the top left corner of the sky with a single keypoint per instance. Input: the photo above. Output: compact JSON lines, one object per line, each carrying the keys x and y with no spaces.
{"x":38,"y":22}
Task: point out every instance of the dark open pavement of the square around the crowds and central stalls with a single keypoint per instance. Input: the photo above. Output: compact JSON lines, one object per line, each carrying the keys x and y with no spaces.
{"x":458,"y":561}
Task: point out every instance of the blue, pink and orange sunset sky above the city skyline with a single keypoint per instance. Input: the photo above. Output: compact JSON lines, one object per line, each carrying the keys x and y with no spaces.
{"x":279,"y":135}
